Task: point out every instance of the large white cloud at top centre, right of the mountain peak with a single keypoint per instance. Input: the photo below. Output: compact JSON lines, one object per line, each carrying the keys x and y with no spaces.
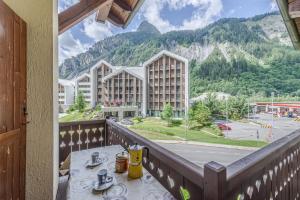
{"x":204,"y":14}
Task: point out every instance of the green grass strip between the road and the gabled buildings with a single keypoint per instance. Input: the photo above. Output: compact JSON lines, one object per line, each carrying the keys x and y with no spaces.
{"x":156,"y":129}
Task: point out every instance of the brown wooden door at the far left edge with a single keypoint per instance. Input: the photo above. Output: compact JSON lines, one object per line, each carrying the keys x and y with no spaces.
{"x":12,"y":104}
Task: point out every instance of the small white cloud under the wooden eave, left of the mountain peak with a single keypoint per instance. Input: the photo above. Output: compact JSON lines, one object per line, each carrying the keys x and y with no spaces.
{"x":95,"y":30}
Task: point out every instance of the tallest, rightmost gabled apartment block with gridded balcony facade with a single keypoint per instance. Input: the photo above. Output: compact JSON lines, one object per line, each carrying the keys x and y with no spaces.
{"x":166,"y":82}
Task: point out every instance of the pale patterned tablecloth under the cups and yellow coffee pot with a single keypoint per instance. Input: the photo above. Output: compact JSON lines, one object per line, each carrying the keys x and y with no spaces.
{"x":81,"y":179}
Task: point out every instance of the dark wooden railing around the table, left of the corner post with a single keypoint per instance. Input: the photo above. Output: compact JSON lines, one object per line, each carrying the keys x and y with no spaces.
{"x":165,"y":166}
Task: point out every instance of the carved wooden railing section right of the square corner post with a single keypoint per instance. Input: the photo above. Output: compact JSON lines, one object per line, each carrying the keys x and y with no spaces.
{"x":270,"y":173}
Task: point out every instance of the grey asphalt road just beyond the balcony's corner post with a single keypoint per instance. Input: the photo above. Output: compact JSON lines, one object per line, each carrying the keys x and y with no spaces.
{"x":200,"y":155}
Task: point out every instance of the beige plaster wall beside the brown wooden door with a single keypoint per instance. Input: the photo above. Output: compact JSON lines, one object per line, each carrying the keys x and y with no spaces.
{"x":42,"y":132}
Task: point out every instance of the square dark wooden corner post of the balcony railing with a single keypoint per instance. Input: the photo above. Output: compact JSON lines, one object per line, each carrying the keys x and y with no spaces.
{"x":214,"y":181}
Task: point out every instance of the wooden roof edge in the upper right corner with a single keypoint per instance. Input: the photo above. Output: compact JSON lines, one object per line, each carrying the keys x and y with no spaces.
{"x":290,"y":11}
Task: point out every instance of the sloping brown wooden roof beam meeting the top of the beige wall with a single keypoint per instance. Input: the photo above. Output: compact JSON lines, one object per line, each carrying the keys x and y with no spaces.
{"x":77,"y":13}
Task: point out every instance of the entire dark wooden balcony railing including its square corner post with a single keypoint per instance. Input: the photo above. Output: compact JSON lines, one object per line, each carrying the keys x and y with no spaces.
{"x":269,"y":173}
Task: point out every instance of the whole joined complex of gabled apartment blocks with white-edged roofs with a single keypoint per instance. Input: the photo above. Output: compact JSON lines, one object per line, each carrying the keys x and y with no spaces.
{"x":129,"y":91}
